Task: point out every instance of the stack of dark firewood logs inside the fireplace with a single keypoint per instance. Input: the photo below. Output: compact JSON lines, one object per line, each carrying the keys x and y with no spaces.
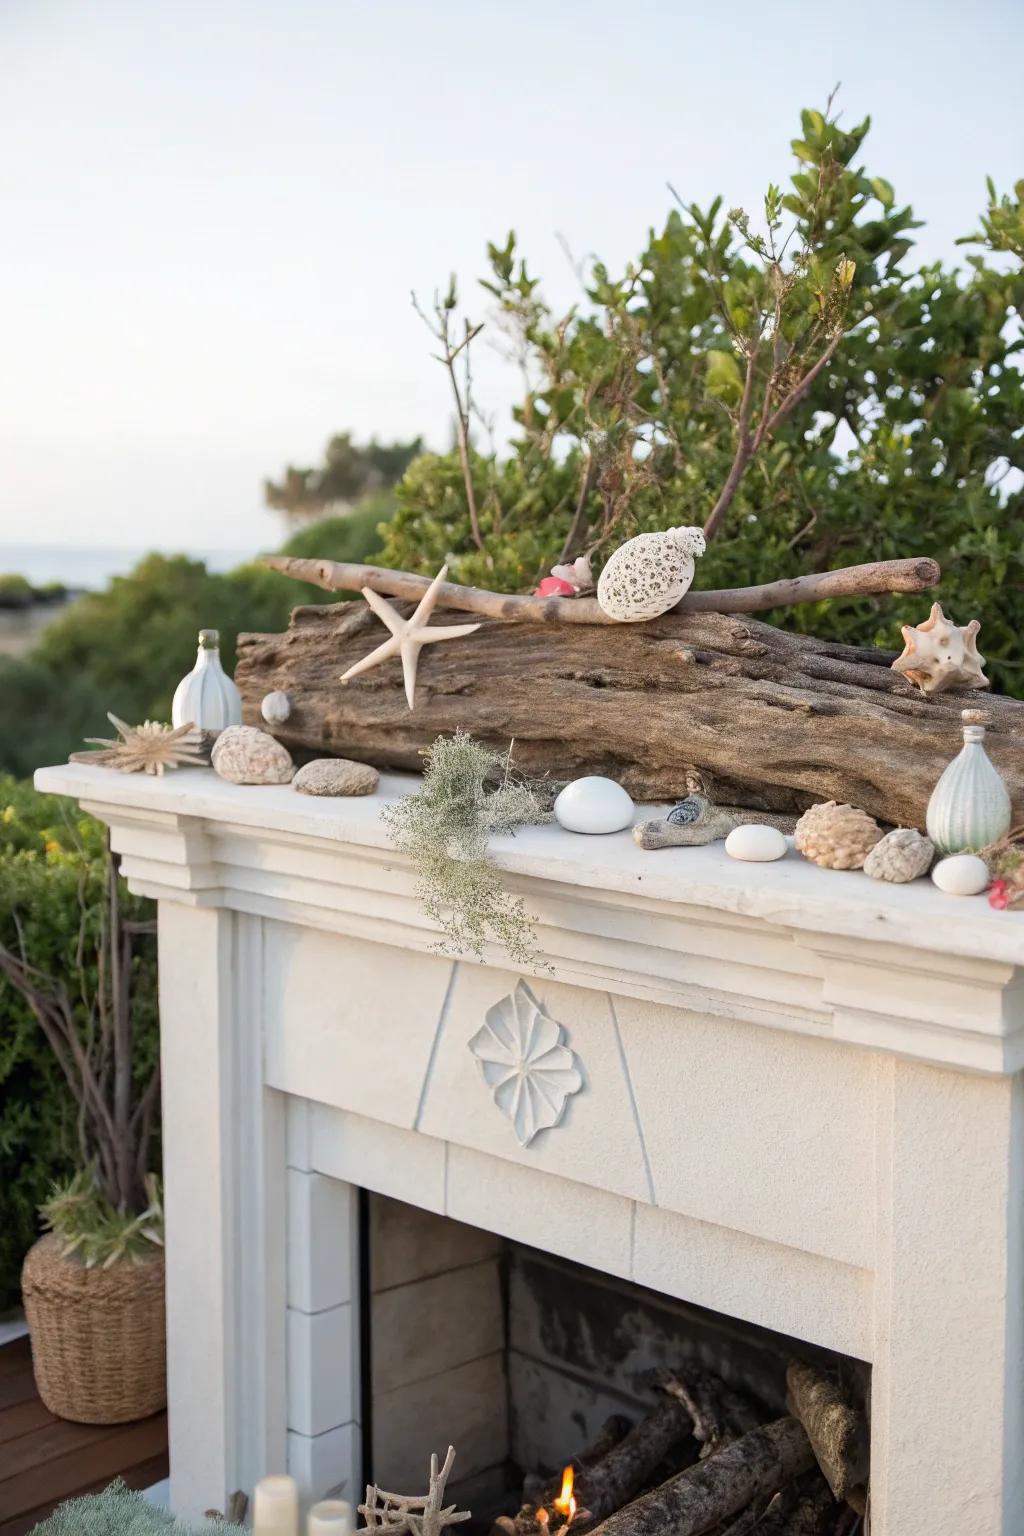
{"x":705,"y":1462}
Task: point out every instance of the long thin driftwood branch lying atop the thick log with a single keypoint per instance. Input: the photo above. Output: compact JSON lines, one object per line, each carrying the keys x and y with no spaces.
{"x":851,"y":581}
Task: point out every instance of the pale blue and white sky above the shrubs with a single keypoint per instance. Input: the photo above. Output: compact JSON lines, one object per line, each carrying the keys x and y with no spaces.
{"x":214,"y":211}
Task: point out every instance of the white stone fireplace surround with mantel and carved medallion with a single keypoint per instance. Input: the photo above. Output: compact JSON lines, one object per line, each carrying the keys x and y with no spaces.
{"x":785,"y":1096}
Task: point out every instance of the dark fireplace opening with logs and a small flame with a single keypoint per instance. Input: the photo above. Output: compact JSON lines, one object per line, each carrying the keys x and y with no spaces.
{"x":530,"y":1363}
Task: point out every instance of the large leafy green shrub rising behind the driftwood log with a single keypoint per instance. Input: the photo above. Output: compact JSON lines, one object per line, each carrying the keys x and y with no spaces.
{"x":908,"y":442}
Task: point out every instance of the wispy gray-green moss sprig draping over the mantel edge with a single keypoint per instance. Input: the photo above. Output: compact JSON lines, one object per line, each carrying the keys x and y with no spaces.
{"x":469,"y":793}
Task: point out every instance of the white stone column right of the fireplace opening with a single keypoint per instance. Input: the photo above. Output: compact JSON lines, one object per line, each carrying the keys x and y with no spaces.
{"x":948,"y":1386}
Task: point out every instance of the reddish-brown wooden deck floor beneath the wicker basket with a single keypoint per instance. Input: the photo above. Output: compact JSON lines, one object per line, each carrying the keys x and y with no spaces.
{"x":45,"y":1460}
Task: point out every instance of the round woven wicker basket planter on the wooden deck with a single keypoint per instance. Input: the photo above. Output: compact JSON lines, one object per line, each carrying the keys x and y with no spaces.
{"x":97,"y":1336}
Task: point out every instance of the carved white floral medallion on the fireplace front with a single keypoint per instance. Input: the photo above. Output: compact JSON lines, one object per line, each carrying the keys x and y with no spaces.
{"x":526,"y":1064}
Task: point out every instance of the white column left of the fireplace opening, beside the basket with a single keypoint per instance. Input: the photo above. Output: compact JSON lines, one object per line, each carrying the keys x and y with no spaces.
{"x":225,"y":1202}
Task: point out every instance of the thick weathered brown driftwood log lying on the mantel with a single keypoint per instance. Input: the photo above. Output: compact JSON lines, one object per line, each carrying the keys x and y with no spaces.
{"x":761,"y":718}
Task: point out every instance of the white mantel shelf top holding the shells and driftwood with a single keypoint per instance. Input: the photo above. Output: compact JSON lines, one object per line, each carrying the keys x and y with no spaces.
{"x":791,"y":892}
